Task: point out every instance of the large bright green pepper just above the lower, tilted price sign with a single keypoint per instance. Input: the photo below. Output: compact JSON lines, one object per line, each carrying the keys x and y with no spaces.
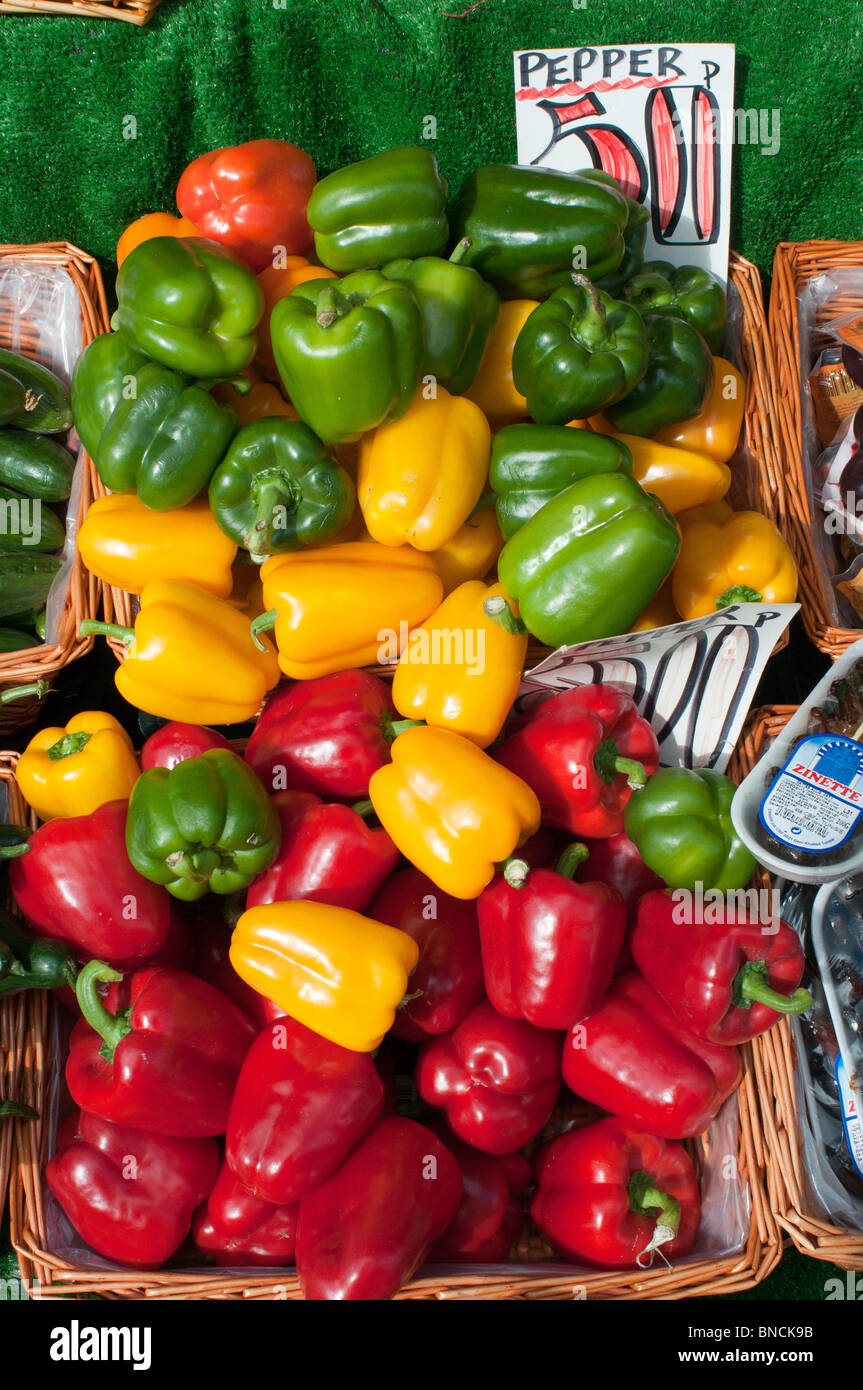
{"x":591,"y":561}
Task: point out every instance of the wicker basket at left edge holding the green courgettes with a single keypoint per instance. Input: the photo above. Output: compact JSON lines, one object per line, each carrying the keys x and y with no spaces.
{"x":84,"y":598}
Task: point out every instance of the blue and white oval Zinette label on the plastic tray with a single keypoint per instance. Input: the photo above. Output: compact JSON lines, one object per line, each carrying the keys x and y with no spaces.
{"x":816,"y":799}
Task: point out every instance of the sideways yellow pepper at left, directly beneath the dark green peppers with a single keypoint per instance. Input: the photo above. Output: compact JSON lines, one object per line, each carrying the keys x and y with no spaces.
{"x":130,"y":547}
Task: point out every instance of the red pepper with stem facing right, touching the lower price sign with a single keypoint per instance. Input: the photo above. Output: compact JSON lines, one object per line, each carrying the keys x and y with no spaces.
{"x":584,"y":753}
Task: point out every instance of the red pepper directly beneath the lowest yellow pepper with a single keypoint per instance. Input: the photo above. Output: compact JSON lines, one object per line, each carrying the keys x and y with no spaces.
{"x":301,"y":1104}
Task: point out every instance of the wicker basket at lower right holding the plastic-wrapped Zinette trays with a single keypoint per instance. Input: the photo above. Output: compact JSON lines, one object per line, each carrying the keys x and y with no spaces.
{"x":775,"y":1077}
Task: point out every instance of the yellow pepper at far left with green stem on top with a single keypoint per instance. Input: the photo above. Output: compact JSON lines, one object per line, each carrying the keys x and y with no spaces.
{"x":74,"y":771}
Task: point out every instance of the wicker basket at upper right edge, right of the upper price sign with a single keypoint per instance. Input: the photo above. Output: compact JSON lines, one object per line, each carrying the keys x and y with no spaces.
{"x":794,"y":266}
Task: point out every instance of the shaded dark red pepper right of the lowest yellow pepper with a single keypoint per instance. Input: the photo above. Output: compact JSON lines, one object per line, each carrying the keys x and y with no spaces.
{"x":448,"y":976}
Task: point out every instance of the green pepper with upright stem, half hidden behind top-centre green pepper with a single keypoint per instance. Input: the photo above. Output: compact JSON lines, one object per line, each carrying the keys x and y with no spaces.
{"x":459,"y":312}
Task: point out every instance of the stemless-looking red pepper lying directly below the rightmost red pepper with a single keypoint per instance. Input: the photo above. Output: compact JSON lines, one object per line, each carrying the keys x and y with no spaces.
{"x":634,"y":1058}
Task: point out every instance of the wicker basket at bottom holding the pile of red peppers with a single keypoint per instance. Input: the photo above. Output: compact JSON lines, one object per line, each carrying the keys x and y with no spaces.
{"x":27,"y":1021}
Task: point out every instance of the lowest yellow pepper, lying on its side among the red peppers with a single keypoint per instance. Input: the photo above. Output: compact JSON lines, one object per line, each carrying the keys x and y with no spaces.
{"x":334,"y":971}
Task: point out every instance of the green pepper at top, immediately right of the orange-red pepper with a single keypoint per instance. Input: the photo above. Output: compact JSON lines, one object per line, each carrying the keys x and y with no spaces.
{"x":381,"y":209}
